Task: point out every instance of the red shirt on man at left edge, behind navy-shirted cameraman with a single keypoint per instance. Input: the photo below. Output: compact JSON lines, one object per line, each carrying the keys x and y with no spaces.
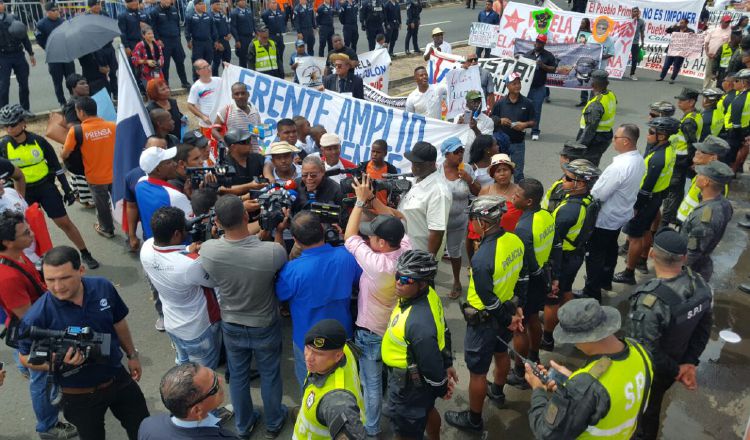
{"x":17,"y":290}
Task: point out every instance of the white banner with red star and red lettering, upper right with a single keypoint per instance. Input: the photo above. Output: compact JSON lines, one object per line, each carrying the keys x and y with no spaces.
{"x":518,"y":23}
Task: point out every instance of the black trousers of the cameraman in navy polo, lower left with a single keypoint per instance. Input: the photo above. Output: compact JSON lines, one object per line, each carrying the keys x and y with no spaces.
{"x":123,"y":397}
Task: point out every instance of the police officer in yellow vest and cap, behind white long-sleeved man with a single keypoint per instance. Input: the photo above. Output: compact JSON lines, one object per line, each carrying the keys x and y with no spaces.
{"x":598,"y":118}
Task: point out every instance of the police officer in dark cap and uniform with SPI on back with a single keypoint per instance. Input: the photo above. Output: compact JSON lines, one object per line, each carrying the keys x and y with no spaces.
{"x":671,"y":316}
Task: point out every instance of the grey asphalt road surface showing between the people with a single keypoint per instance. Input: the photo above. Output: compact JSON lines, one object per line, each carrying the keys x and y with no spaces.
{"x":719,"y":409}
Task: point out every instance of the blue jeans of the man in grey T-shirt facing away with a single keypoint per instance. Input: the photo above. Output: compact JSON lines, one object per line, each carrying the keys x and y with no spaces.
{"x":242,"y":343}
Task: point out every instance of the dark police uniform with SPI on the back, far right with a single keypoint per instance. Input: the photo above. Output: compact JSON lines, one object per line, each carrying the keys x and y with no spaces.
{"x":672,"y":319}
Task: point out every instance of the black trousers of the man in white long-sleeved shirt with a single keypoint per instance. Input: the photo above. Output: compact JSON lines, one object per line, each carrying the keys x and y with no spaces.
{"x":601,"y":259}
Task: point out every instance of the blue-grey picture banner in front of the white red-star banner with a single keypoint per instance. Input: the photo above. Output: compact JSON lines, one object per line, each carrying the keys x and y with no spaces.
{"x":575,"y":63}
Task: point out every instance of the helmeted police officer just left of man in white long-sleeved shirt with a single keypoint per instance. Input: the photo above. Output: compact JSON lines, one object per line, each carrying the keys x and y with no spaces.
{"x":569,"y":245}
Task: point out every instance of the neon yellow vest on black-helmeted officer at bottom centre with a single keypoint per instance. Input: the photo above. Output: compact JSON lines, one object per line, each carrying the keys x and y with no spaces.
{"x":395,"y":348}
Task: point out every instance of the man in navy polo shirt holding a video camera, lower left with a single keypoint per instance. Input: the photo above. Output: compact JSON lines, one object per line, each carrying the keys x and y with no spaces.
{"x":89,"y":388}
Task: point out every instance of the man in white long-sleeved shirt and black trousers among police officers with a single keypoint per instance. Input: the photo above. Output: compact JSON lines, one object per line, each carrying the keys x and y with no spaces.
{"x":617,"y":190}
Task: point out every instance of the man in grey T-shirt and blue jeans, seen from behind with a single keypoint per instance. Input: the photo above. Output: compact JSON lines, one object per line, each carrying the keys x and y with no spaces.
{"x":244,"y":269}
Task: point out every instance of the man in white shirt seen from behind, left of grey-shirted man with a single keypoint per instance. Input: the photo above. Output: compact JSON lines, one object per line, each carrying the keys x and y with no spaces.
{"x":192,"y":318}
